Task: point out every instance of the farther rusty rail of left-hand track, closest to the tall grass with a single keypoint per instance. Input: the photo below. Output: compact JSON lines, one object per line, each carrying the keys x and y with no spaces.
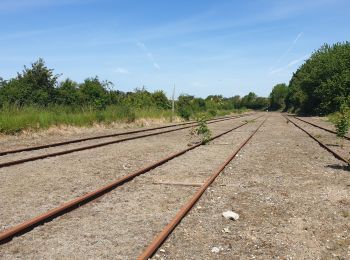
{"x":33,"y":148}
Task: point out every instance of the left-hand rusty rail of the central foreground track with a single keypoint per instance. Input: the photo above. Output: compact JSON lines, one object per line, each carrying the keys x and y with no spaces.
{"x":26,"y":226}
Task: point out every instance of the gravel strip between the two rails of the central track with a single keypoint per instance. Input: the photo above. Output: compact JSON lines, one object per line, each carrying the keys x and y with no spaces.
{"x":121,"y":223}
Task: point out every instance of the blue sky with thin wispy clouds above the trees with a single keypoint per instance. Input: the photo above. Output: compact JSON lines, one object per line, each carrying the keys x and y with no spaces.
{"x":203,"y":47}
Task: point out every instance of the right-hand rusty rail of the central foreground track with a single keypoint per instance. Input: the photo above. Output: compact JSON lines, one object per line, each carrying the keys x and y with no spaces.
{"x":161,"y":237}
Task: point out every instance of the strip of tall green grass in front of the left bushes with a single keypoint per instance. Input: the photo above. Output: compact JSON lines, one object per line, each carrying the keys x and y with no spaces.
{"x":14,"y":120}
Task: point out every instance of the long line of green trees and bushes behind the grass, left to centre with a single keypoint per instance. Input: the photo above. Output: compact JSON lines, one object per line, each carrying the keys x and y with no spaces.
{"x":39,"y":86}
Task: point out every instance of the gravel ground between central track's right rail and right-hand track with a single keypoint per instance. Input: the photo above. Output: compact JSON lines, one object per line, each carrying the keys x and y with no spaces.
{"x":292,"y":197}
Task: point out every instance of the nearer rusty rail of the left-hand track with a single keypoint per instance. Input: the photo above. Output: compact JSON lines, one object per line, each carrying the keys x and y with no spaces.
{"x":53,"y":154}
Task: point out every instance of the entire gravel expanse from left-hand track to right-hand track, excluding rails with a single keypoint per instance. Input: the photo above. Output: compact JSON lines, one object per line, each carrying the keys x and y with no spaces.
{"x":292,"y":196}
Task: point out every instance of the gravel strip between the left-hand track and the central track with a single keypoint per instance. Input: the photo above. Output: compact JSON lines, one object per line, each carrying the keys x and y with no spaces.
{"x":32,"y":188}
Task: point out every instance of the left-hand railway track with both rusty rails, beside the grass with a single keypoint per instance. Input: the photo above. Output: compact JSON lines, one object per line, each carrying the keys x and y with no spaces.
{"x":82,"y":148}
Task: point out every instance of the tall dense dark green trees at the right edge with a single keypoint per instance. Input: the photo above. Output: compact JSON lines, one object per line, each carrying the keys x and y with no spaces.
{"x":320,"y":86}
